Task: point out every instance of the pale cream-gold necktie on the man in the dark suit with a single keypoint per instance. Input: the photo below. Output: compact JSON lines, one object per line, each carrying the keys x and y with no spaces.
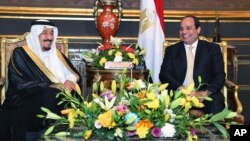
{"x":190,"y":66}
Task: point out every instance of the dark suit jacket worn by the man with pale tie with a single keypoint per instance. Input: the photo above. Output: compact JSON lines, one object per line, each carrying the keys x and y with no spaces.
{"x":208,"y":64}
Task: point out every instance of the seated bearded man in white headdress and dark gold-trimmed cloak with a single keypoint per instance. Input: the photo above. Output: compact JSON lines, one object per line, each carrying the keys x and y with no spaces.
{"x":36,"y":73}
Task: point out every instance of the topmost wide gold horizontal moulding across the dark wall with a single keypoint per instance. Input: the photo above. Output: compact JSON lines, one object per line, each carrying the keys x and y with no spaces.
{"x":237,"y":14}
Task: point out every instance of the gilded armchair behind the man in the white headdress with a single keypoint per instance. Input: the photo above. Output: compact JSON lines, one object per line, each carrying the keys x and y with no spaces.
{"x":8,"y":44}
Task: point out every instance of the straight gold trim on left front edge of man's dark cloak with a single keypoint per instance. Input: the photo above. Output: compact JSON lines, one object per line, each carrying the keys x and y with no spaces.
{"x":40,"y":64}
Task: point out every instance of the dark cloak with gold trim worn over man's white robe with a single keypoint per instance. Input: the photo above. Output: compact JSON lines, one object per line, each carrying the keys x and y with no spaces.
{"x":29,"y":85}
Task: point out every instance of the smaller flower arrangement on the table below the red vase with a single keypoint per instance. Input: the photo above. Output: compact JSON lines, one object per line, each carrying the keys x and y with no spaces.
{"x":115,"y":52}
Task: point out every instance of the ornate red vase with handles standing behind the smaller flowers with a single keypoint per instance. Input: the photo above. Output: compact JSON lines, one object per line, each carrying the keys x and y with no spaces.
{"x":107,"y":22}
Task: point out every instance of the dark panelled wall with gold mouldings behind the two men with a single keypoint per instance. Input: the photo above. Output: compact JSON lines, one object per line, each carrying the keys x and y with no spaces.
{"x":75,"y":21}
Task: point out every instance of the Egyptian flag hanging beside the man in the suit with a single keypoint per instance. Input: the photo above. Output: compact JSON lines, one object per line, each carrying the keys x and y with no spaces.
{"x":151,"y":34}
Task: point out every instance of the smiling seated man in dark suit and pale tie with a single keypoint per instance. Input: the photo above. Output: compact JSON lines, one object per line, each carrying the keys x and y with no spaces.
{"x":190,"y":58}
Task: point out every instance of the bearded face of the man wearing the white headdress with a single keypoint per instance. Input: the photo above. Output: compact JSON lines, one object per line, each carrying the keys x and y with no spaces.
{"x":46,"y":38}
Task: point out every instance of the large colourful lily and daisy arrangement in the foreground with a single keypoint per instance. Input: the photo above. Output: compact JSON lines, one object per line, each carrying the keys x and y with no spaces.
{"x":128,"y":107}
